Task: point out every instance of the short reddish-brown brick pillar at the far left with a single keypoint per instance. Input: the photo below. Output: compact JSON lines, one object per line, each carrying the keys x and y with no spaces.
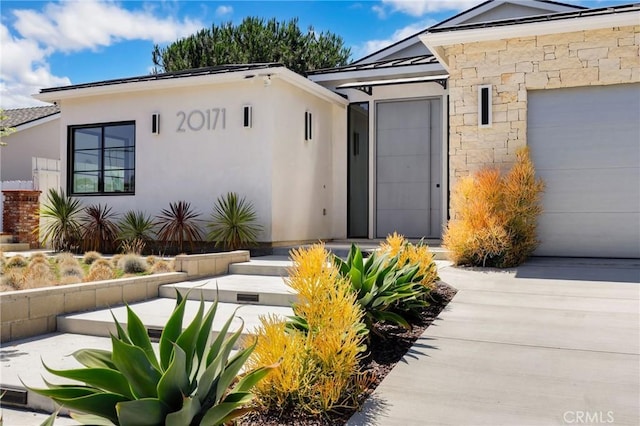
{"x":21,"y":215}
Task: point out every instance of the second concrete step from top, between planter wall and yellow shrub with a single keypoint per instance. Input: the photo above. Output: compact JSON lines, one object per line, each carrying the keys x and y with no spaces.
{"x":242,"y":289}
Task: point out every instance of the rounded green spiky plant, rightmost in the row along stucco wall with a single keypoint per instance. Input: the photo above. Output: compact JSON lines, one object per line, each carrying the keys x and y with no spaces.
{"x":233,"y":222}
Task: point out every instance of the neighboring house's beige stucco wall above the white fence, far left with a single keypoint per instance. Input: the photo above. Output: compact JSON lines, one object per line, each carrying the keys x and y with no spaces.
{"x":34,"y":141}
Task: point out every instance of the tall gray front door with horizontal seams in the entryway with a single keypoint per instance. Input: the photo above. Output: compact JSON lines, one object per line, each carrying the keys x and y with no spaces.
{"x":408,"y":153}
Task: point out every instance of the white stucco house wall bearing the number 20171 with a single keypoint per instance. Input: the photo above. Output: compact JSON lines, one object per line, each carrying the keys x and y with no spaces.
{"x":263,"y":163}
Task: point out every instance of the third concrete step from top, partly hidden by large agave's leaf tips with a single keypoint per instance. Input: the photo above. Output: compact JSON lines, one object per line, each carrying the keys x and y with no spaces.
{"x":155,"y":313}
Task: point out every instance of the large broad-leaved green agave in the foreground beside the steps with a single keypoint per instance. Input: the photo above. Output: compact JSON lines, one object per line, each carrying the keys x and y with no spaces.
{"x":192,"y":382}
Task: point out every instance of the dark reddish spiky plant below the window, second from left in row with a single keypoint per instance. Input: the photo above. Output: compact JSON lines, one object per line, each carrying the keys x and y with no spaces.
{"x":99,"y":229}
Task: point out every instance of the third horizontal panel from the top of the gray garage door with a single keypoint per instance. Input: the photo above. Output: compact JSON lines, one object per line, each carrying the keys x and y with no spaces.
{"x":590,"y":191}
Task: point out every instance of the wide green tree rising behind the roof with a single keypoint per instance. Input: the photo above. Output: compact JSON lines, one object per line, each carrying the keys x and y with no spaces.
{"x":254,"y":41}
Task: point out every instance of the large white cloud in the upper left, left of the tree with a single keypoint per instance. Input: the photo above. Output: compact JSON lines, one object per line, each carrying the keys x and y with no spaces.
{"x":68,"y":27}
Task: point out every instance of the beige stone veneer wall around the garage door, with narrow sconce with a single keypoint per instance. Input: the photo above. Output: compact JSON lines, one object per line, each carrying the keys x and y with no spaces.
{"x":515,"y":66}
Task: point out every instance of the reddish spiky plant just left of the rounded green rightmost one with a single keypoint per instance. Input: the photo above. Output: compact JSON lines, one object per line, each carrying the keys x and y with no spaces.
{"x":179,"y":223}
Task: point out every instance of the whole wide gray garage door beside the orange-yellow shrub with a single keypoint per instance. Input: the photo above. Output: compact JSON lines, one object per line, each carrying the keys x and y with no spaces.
{"x":585,"y":143}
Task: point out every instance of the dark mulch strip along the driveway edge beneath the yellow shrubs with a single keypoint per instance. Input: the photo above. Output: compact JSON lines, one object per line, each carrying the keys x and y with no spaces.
{"x":384,"y":354}
